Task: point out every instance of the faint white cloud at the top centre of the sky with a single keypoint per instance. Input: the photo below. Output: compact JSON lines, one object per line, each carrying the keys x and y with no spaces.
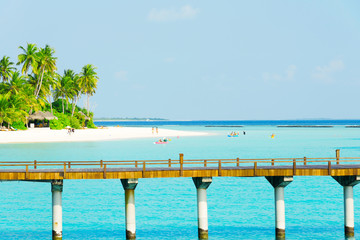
{"x":165,"y":15}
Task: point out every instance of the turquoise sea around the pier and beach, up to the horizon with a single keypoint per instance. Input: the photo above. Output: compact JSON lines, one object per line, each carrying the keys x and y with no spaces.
{"x":238,"y":208}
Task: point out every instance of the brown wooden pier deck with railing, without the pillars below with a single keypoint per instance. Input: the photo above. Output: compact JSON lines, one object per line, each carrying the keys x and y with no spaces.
{"x":58,"y":170}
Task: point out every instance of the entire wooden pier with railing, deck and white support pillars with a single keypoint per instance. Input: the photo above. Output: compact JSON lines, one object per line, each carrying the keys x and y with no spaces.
{"x":278,"y":171}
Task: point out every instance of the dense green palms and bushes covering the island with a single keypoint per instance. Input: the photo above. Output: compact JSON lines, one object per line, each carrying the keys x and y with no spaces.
{"x":36,"y":86}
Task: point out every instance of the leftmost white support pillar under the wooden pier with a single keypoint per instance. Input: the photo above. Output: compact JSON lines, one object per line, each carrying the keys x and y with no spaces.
{"x":56,"y":190}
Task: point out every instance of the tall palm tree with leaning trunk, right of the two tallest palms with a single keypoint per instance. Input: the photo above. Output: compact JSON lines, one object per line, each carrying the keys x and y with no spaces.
{"x":46,"y":63}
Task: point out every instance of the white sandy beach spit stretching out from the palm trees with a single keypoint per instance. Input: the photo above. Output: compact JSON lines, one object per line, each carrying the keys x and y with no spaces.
{"x":110,"y":133}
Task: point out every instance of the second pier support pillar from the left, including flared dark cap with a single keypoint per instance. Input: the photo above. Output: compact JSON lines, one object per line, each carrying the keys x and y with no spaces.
{"x":129,"y":187}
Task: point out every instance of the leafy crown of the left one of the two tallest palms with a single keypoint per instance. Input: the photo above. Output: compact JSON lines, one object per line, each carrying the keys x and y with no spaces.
{"x":28,"y":58}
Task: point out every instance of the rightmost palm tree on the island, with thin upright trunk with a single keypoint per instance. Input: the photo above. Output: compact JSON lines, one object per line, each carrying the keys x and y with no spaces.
{"x":88,"y":82}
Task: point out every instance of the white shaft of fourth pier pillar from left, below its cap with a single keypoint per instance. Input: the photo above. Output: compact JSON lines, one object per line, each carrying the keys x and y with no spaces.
{"x":279,"y":212}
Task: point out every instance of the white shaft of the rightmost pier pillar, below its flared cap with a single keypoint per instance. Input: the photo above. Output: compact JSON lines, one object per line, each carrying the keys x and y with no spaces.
{"x":349,"y":211}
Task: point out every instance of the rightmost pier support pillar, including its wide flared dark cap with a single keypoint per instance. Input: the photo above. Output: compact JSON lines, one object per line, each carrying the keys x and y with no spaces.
{"x":348,"y":182}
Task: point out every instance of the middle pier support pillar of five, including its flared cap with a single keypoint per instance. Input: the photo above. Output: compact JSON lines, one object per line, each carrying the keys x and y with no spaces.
{"x":202,"y":183}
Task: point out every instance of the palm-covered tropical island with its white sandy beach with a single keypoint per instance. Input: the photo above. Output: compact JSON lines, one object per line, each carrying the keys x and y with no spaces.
{"x":37,"y":97}
